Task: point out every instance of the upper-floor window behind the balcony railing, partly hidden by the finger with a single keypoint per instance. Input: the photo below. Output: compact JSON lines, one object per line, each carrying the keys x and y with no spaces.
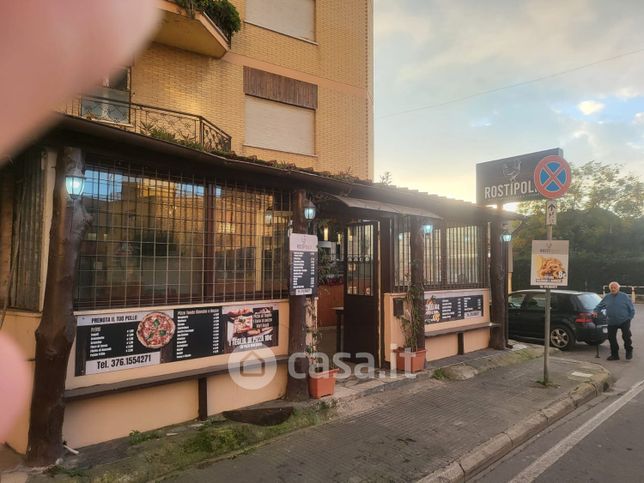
{"x":111,"y":101}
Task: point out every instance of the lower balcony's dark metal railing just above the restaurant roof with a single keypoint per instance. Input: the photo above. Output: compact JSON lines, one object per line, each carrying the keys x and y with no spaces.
{"x":174,"y":126}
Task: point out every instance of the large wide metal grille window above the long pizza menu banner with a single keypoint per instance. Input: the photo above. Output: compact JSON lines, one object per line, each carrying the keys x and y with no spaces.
{"x":161,"y":239}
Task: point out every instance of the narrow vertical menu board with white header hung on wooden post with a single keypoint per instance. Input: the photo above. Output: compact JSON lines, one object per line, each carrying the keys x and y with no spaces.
{"x":303,"y":257}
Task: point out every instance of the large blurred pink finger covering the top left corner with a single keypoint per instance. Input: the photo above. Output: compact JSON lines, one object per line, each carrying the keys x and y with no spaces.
{"x":50,"y":51}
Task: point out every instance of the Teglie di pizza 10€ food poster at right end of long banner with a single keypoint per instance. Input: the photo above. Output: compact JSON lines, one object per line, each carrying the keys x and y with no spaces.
{"x":250,"y":326}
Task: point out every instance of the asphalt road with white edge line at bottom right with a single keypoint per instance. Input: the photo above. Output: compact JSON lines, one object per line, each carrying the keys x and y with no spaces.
{"x":601,"y":441}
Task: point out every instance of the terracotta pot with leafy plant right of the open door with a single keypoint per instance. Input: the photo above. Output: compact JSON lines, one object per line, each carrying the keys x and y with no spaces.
{"x":409,"y":357}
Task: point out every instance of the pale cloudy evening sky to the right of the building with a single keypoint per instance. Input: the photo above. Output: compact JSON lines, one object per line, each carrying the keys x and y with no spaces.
{"x":461,"y":82}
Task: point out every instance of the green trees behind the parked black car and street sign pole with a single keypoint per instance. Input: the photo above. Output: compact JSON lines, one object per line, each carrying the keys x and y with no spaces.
{"x":602,"y":216}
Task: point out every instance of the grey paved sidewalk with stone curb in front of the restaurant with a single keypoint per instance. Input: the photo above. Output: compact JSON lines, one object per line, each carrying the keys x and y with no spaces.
{"x":400,"y":429}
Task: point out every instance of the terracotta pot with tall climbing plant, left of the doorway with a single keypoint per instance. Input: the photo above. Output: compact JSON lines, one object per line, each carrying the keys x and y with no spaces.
{"x":321,"y":374}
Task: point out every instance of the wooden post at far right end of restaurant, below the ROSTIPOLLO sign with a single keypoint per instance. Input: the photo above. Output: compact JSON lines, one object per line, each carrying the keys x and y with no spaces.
{"x":497,"y":286}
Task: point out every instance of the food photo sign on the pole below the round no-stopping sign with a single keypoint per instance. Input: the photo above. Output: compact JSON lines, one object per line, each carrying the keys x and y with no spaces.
{"x":549,"y":267}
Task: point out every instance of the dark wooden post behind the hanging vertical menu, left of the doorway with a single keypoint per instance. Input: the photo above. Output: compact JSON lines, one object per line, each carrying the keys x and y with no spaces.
{"x":298,"y":389}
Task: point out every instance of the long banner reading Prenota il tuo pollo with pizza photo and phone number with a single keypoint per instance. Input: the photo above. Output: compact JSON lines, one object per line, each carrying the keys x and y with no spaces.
{"x":112,"y":342}
